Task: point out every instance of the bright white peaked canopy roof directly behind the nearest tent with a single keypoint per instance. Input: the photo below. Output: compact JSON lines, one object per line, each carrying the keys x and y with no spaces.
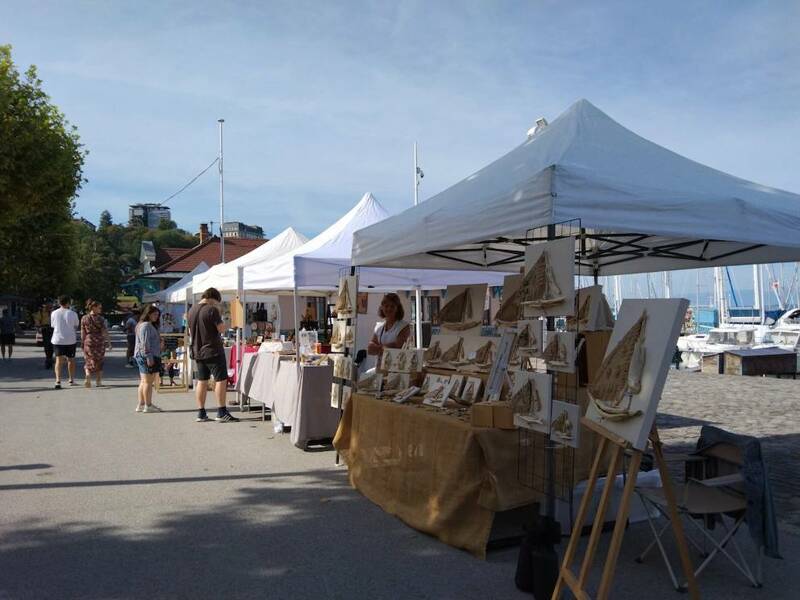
{"x":317,"y":264}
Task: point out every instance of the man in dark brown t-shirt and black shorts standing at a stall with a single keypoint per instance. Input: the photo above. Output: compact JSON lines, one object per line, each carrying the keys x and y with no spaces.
{"x":205,"y":327}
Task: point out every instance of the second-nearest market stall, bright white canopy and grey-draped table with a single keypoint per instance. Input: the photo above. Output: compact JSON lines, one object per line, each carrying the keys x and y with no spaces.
{"x":314,"y":269}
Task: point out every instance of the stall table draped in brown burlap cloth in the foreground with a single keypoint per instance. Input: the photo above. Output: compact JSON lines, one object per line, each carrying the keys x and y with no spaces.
{"x":435,"y":471}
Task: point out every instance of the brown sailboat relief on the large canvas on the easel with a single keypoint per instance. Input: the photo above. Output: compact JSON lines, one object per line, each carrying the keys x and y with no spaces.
{"x":620,"y":375}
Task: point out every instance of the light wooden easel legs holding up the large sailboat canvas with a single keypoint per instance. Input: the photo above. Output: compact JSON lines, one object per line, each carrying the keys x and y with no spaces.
{"x":618,"y":446}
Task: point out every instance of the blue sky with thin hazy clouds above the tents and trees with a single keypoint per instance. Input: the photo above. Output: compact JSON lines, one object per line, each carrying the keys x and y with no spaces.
{"x":323,"y":101}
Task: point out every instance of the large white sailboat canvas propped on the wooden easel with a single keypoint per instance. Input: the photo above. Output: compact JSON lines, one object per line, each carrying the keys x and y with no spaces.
{"x":624,"y":396}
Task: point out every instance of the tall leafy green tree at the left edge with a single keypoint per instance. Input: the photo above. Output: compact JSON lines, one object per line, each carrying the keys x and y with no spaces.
{"x":41,"y":171}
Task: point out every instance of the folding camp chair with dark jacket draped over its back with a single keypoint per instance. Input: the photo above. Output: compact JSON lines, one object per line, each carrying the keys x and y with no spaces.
{"x":706,"y":501}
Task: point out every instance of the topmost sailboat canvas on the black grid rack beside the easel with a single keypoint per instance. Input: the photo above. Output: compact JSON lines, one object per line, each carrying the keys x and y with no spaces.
{"x":548,"y":284}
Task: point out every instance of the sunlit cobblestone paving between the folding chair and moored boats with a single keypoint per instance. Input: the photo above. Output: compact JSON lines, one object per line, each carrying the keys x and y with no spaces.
{"x":764,"y":407}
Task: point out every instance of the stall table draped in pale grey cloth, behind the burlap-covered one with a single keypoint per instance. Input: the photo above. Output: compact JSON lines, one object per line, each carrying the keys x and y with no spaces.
{"x":300,"y":400}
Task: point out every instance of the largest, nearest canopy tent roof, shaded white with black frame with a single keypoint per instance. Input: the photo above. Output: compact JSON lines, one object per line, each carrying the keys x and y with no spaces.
{"x":642,"y":207}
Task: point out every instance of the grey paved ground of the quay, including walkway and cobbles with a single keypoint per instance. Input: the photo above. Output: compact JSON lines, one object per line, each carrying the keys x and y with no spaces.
{"x":97,"y":501}
